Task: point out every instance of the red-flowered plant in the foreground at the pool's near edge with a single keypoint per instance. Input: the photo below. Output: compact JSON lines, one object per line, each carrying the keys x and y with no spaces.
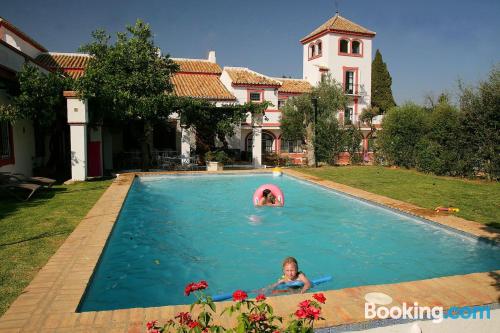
{"x":253,"y":315}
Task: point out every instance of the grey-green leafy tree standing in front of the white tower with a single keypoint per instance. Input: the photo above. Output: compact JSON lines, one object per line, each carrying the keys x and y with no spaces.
{"x":298,"y":119}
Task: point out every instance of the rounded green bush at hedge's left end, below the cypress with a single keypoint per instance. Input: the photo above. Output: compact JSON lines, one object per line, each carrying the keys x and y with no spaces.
{"x":403,"y":127}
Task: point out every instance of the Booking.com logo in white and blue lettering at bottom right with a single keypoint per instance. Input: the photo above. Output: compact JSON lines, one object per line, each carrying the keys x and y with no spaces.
{"x":417,"y":312}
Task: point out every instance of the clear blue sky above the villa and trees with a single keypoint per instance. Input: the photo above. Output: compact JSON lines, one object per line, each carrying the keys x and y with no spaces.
{"x":428,"y":45}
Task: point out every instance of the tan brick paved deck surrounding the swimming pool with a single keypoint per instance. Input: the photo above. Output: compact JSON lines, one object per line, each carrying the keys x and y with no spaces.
{"x":50,"y":301}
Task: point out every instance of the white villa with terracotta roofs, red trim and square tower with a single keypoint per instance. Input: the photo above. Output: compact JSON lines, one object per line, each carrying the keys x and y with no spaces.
{"x":339,"y":47}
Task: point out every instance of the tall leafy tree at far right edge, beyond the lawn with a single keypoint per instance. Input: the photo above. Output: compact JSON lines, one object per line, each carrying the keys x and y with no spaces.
{"x":479,"y":137}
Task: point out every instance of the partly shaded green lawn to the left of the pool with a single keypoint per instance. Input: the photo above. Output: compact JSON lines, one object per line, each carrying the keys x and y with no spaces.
{"x":31,"y":232}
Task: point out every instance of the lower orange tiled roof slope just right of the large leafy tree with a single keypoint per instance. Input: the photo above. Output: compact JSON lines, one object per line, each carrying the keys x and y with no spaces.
{"x":201,"y":86}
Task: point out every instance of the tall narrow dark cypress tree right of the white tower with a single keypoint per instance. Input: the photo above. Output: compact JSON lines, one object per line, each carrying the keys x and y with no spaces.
{"x":381,"y":85}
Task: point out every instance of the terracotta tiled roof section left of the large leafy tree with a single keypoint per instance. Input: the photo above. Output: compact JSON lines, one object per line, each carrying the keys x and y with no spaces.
{"x":72,"y":64}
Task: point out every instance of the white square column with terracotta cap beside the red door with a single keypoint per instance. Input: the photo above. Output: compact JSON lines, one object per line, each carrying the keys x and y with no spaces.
{"x":77,"y":119}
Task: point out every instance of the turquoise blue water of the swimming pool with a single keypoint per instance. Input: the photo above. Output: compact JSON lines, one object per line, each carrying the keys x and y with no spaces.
{"x":177,"y":229}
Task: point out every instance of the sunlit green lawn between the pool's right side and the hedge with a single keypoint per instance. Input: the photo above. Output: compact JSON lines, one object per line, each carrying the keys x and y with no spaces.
{"x":478,"y":200}
